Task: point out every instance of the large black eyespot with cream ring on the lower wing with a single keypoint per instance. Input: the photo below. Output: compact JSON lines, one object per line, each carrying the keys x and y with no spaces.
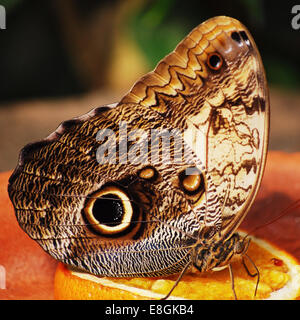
{"x":109,"y":211}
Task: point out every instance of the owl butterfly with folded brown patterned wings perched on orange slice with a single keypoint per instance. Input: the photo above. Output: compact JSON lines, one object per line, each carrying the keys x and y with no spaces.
{"x":102,"y":194}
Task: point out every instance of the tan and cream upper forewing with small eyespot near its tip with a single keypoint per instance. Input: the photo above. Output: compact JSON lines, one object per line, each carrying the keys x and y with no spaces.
{"x":213,"y":86}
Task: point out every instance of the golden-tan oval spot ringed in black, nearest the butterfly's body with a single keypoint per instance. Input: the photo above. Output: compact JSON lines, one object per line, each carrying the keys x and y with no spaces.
{"x":192,"y":181}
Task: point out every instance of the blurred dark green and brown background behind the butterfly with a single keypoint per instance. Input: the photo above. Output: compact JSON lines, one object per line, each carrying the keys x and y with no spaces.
{"x":59,"y":59}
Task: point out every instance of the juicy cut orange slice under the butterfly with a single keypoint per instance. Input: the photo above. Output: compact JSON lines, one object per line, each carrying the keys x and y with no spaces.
{"x":279,"y":279}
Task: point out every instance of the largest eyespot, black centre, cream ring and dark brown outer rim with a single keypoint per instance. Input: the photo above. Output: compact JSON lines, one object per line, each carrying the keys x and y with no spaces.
{"x":110,"y":212}
